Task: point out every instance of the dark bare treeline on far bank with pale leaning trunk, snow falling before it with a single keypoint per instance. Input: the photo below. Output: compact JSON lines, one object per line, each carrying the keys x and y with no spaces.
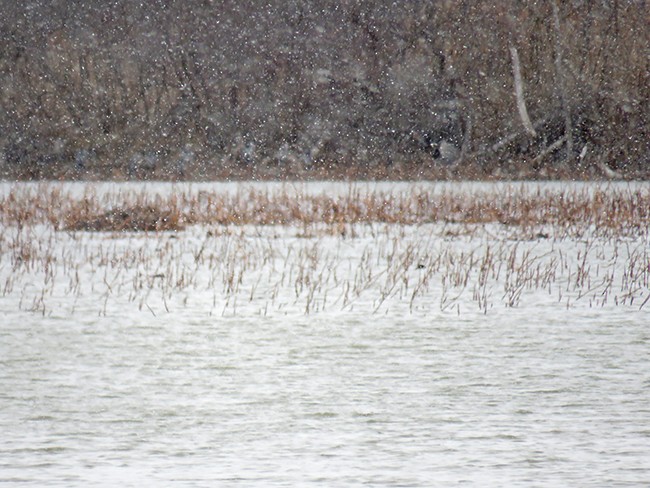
{"x":313,"y":88}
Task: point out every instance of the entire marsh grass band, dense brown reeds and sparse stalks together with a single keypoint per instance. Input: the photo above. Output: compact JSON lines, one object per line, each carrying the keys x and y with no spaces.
{"x":261,"y":252}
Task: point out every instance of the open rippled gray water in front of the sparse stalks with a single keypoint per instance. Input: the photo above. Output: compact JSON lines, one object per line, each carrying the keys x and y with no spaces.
{"x":510,"y":399}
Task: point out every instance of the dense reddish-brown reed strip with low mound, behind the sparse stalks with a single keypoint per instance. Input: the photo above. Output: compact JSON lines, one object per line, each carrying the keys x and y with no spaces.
{"x":567,"y":211}
